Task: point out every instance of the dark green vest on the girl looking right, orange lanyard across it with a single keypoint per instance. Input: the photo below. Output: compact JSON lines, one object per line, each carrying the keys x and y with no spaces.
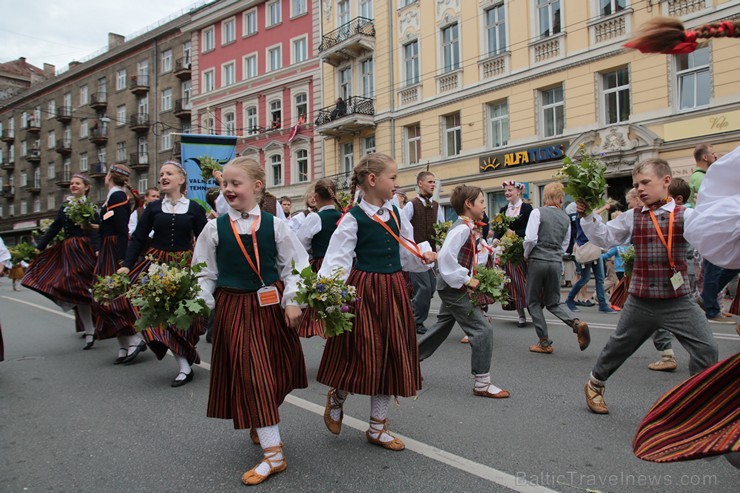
{"x":376,"y":250}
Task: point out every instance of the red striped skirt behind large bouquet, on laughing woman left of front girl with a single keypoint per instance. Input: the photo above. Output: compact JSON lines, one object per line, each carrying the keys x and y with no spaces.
{"x":160,"y":339}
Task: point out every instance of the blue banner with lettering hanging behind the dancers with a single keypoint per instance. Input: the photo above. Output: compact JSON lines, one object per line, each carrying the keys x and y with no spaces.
{"x":196,"y":146}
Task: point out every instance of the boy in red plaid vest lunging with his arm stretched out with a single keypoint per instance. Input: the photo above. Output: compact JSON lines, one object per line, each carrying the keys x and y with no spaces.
{"x":659,"y":289}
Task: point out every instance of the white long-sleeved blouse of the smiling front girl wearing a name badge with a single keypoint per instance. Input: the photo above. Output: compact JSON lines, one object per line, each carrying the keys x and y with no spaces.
{"x":288,"y":247}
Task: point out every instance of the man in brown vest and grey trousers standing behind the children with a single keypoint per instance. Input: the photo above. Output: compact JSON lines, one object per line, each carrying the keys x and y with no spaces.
{"x":423,"y":213}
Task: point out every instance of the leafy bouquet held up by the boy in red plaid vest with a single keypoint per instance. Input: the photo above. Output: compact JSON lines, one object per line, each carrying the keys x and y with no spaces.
{"x":585,"y":178}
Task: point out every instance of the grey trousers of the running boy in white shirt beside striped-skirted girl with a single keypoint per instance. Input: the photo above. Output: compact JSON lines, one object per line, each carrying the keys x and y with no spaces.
{"x":456,"y":307}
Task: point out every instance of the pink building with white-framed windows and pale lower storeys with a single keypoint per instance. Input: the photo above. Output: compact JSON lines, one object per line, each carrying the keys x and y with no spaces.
{"x":256,"y":76}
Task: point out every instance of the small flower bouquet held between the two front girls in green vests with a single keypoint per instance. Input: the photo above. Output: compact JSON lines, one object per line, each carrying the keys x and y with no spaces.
{"x":329,"y":297}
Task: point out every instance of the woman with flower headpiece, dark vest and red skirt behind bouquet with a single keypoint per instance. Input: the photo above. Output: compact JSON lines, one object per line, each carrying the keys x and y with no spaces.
{"x":517,"y":273}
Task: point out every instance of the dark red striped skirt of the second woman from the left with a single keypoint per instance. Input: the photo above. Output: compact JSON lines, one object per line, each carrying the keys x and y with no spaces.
{"x":112,"y":319}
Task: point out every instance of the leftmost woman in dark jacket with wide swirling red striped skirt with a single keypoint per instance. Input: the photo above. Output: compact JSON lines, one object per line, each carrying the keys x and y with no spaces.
{"x":65,"y":272}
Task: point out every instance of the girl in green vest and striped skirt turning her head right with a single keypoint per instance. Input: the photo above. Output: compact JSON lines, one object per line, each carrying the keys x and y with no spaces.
{"x":379,"y":356}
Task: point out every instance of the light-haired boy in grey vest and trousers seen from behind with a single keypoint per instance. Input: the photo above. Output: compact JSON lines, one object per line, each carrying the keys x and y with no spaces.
{"x":546,"y":238}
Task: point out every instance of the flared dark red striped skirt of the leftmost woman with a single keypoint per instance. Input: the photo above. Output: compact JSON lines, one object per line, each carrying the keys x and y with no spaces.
{"x":64,"y":272}
